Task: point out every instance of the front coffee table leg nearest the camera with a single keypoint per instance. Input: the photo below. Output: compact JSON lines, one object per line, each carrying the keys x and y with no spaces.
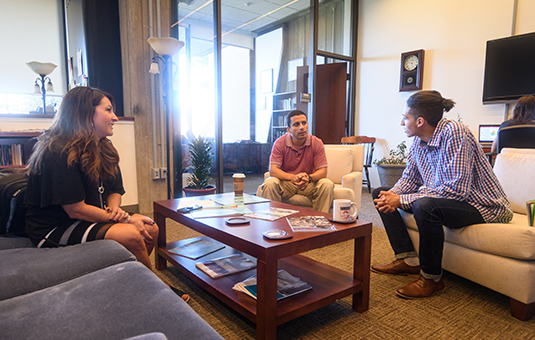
{"x":266,"y":303}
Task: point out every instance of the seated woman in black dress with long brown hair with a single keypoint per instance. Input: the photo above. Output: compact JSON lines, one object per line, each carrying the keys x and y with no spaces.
{"x":75,"y":185}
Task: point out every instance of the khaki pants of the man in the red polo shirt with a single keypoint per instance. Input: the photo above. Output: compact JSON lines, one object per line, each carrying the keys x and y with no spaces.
{"x":321,"y":193}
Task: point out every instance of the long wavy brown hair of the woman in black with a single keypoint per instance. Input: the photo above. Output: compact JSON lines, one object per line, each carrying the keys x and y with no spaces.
{"x":72,"y":132}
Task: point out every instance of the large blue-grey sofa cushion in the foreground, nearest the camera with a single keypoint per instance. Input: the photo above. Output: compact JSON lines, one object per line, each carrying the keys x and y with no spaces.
{"x":117,"y":302}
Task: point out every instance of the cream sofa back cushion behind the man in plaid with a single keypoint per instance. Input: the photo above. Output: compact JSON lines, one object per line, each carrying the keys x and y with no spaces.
{"x":515,"y":173}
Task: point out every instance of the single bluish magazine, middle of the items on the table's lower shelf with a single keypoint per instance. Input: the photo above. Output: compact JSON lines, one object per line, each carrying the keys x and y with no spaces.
{"x":226,"y":265}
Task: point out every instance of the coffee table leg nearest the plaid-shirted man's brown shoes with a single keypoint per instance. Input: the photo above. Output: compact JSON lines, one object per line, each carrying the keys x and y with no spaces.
{"x":361,"y":272}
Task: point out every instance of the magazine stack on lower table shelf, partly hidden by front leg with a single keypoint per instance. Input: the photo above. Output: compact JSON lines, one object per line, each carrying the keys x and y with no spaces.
{"x":287,"y":285}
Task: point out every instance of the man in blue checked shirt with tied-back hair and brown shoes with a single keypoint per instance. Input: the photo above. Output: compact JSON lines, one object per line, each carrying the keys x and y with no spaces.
{"x":447,"y":182}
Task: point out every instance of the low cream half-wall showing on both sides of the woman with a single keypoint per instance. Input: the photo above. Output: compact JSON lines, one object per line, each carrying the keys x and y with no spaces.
{"x":123,"y":140}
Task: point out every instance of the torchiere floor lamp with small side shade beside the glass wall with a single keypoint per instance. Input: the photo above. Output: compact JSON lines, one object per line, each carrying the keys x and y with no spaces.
{"x":166,"y":48}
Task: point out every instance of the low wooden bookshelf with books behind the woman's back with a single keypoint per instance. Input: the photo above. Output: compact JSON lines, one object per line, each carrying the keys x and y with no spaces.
{"x":16,"y":148}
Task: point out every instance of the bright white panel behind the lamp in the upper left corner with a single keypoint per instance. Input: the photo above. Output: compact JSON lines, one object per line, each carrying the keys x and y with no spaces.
{"x":30,"y":30}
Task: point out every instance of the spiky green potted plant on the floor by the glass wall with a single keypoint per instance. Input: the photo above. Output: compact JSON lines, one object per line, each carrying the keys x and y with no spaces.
{"x":200,"y":151}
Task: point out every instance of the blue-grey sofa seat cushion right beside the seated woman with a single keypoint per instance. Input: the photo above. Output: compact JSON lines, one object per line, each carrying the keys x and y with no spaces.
{"x":24,"y":270}
